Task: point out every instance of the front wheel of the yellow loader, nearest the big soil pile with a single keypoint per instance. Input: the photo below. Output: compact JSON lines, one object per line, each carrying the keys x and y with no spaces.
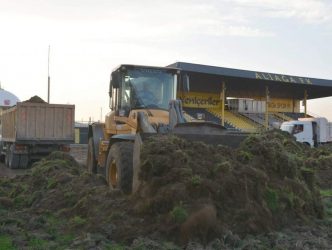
{"x":119,"y":166}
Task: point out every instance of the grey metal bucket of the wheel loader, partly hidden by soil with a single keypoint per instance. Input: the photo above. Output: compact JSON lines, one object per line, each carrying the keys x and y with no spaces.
{"x":206,"y":132}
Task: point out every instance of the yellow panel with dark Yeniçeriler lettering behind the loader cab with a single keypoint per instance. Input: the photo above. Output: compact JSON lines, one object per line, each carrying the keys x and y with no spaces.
{"x":200,"y":100}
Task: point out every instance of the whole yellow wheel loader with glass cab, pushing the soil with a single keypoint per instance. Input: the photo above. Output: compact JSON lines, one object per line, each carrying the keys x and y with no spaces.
{"x":143,"y":103}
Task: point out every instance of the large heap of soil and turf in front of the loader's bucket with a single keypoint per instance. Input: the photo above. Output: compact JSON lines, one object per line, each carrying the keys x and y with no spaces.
{"x":263,"y":185}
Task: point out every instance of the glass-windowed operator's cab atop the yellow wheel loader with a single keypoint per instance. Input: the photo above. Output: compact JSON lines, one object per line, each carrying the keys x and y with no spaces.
{"x":140,"y":87}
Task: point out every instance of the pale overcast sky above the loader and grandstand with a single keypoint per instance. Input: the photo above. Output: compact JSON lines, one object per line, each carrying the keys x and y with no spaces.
{"x":89,"y":38}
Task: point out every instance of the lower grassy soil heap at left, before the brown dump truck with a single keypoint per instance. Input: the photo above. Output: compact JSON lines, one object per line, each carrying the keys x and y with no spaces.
{"x":53,"y":204}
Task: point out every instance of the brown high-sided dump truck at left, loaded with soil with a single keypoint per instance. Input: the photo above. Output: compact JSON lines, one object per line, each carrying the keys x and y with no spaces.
{"x":30,"y":131}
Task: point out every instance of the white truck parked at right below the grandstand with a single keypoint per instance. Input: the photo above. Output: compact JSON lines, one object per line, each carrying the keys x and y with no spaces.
{"x":311,"y":131}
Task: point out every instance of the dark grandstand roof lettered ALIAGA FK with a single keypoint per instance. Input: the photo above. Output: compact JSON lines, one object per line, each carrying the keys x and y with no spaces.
{"x":245,"y":83}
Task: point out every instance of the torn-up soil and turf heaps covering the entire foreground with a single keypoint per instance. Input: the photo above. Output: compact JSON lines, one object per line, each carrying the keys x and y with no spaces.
{"x":270,"y":193}
